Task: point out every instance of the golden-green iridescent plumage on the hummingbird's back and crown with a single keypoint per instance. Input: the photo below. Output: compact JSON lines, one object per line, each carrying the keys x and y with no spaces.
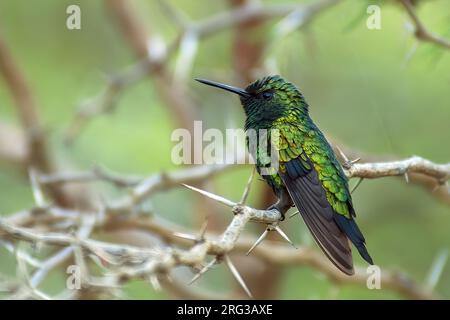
{"x":299,"y":137}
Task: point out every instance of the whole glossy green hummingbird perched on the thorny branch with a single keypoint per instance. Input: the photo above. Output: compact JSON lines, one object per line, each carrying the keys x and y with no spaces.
{"x":308,"y":176}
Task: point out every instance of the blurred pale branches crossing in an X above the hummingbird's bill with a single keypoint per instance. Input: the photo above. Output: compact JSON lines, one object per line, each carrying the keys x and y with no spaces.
{"x":155,"y":54}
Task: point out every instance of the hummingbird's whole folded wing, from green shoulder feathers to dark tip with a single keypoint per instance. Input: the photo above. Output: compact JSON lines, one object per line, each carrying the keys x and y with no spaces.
{"x":310,"y":197}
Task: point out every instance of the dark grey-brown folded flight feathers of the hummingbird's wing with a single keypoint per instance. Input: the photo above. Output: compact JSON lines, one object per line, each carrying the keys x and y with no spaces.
{"x":309,"y":196}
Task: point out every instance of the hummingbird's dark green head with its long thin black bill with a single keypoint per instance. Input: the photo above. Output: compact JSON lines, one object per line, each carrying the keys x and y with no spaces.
{"x":268,"y":98}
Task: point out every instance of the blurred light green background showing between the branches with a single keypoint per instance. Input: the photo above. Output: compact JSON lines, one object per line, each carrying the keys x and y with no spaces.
{"x":356,"y":80}
